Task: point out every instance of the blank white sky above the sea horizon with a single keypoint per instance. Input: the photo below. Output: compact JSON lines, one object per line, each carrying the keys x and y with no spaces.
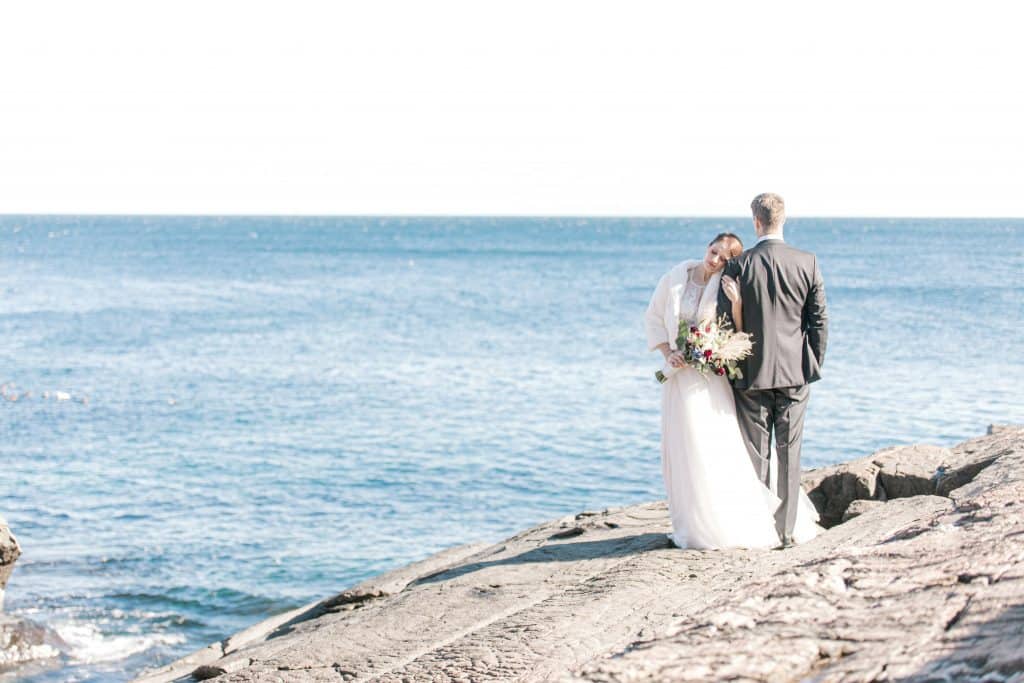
{"x":511,"y":108}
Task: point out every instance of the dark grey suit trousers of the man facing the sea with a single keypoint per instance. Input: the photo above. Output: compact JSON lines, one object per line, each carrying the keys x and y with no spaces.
{"x":760,"y":412}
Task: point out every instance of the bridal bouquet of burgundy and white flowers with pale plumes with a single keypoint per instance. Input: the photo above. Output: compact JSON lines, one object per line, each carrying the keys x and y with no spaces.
{"x":710,"y":347}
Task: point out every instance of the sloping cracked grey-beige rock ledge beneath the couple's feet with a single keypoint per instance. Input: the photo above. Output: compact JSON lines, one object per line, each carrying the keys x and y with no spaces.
{"x":921,"y":577}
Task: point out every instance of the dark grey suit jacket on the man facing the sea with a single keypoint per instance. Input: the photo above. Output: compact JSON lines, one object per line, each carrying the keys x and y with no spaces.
{"x":784,"y":311}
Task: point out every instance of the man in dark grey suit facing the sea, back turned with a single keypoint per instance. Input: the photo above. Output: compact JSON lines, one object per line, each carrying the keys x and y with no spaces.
{"x":784,"y":310}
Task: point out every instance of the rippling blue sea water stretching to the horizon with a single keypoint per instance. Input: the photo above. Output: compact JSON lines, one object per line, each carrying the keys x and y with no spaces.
{"x":255,"y":413}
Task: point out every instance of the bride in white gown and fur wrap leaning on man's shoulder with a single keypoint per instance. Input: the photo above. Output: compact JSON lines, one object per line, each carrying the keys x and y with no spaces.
{"x":716,"y":499}
